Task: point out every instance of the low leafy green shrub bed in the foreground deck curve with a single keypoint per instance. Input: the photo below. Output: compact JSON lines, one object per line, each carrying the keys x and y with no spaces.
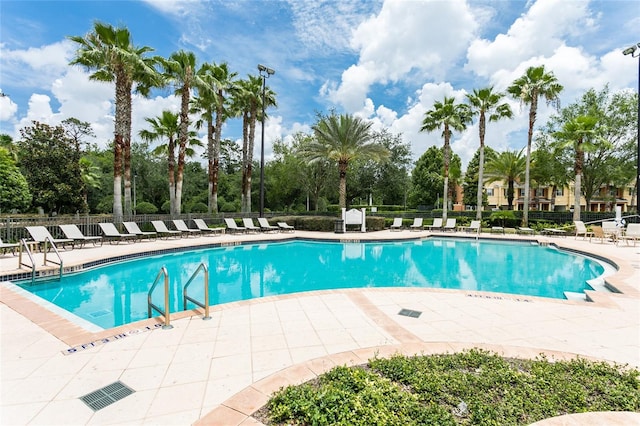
{"x":470,"y":388}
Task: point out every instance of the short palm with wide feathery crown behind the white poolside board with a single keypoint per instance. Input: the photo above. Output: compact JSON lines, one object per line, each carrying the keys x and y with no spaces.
{"x":343,"y":139}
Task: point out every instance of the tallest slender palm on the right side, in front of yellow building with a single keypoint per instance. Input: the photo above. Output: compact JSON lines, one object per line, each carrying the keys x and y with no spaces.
{"x":535,"y":83}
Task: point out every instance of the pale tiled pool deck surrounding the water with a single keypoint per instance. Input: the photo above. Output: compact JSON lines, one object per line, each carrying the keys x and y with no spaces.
{"x":219,"y":372}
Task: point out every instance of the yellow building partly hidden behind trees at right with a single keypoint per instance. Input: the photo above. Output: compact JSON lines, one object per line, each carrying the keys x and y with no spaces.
{"x":545,"y":199}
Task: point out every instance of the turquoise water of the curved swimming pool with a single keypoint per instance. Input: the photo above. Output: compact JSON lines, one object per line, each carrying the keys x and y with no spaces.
{"x":117,"y":294}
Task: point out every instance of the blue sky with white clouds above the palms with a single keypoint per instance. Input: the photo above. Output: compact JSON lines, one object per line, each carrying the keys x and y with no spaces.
{"x":386,"y":61}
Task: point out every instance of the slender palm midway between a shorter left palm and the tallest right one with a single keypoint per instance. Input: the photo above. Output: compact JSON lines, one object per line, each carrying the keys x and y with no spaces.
{"x":486,"y":101}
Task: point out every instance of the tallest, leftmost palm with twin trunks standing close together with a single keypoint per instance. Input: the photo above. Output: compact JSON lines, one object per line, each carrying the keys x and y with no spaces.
{"x":110,"y":52}
